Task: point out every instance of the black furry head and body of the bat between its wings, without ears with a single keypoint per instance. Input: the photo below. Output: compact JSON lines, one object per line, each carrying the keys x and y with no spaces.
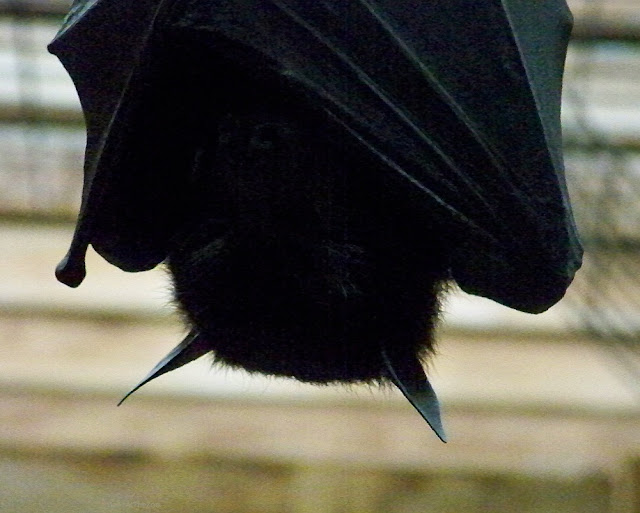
{"x":298,"y":260}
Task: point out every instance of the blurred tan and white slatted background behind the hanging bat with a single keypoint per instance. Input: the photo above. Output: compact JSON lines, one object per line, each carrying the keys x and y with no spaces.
{"x":542,"y":412}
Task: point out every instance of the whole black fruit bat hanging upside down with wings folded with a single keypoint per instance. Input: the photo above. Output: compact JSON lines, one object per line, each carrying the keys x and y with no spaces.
{"x":315,"y":175}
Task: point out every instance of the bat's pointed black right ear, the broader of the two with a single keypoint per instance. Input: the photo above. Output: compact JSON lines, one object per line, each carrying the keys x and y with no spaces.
{"x":410,"y":378}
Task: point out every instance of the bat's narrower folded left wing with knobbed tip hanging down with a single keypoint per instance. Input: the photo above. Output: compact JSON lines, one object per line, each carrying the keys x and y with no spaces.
{"x":132,"y":189}
